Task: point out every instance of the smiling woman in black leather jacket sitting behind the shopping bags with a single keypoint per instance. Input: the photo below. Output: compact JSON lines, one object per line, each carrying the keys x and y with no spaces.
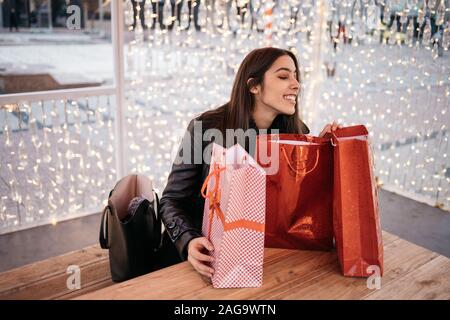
{"x":264,"y":96}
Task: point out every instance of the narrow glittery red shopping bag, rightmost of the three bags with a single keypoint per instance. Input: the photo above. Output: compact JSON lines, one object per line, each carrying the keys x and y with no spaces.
{"x":356,"y":219}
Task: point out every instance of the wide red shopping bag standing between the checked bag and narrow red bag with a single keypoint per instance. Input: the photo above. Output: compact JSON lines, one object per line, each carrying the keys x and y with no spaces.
{"x":299,"y":193}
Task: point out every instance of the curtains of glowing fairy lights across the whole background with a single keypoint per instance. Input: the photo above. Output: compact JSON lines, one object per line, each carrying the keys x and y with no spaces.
{"x":384,"y":64}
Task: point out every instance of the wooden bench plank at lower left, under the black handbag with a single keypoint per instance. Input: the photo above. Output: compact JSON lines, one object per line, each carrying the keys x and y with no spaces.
{"x":47,"y":279}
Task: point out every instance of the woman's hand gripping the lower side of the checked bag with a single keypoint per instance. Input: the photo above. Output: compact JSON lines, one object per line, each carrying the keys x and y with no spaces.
{"x":197,"y":257}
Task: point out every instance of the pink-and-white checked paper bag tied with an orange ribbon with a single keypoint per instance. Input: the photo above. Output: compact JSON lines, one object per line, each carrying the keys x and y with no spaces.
{"x":234,"y":217}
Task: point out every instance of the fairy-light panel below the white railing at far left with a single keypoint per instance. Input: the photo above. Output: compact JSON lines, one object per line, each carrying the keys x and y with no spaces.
{"x":57,"y":160}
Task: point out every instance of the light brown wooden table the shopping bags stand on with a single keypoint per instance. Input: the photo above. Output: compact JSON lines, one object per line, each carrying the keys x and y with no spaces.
{"x":411,"y":272}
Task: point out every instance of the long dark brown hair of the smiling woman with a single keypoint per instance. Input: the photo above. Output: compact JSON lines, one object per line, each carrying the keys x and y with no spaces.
{"x":236,"y":113}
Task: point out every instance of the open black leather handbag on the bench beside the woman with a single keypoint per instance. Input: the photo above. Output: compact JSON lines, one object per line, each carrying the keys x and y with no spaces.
{"x":131,"y":228}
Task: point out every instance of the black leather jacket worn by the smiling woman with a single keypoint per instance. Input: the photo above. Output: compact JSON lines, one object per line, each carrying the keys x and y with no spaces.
{"x":181,"y":205}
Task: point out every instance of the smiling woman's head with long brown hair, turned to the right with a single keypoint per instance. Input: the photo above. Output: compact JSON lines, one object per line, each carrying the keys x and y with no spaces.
{"x":265,"y":89}
